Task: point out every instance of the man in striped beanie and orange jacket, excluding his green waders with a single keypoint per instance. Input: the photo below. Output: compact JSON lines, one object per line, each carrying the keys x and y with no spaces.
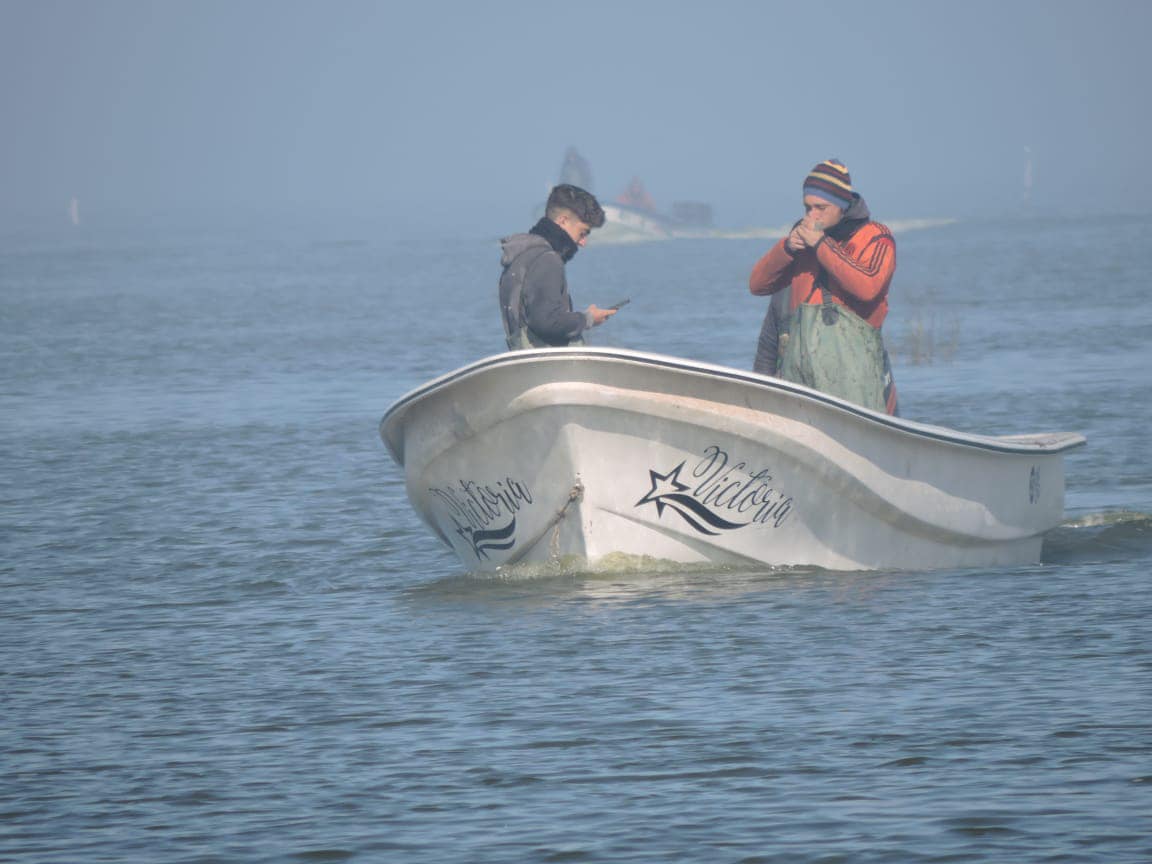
{"x":835,"y":251}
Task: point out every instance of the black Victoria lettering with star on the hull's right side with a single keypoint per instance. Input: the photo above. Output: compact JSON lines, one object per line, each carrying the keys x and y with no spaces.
{"x":722,"y":490}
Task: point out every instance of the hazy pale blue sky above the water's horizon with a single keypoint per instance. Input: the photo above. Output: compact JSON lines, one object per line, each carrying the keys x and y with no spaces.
{"x":454,"y":110}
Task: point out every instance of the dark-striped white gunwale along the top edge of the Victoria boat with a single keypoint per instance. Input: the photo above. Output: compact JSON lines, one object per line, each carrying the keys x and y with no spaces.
{"x":1005,"y":444}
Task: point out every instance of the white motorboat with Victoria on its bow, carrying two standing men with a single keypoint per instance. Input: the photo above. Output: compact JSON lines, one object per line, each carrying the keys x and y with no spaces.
{"x":590,"y":457}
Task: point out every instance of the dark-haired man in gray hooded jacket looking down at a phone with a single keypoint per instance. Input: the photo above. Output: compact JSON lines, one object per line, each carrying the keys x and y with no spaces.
{"x":535,"y":305}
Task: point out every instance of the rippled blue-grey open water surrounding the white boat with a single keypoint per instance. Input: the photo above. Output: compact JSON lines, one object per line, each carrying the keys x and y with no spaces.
{"x":226,"y":638}
